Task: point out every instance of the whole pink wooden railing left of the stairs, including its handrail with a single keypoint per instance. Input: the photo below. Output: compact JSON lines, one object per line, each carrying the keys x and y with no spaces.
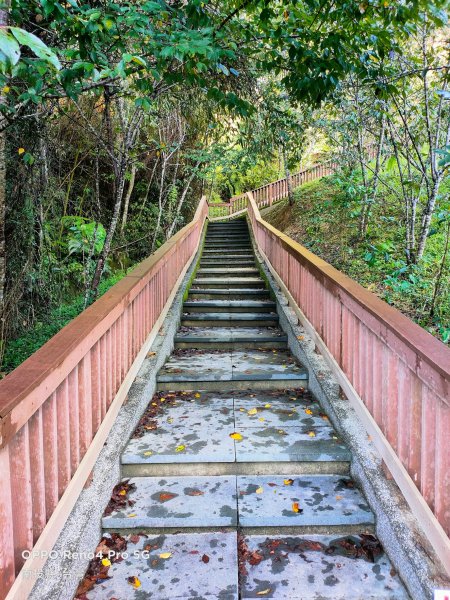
{"x":53,"y":404}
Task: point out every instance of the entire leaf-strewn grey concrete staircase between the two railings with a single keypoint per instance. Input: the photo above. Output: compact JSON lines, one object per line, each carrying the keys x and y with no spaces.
{"x":235,"y":483}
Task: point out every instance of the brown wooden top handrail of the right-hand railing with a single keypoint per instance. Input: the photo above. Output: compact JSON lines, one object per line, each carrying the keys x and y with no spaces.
{"x":431,"y":350}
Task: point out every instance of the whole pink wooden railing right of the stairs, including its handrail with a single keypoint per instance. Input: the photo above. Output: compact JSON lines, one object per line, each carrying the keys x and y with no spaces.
{"x":399,"y":371}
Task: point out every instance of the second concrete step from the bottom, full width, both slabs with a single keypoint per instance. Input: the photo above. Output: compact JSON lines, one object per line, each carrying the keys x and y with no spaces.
{"x":161,"y":504}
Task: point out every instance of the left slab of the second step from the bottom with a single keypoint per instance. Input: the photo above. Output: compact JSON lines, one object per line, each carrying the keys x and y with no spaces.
{"x":159,"y":502}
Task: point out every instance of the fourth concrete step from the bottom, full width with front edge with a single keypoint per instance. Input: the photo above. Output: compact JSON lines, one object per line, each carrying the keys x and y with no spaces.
{"x":219,"y":370}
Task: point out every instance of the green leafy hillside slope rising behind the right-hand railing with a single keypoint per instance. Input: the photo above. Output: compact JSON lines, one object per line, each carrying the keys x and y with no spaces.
{"x":320,"y":221}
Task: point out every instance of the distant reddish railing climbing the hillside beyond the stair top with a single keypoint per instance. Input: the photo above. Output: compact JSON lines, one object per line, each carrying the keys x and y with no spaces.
{"x":272,"y":192}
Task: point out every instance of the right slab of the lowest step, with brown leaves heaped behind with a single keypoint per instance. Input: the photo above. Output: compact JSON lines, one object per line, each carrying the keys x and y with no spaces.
{"x":317,"y":567}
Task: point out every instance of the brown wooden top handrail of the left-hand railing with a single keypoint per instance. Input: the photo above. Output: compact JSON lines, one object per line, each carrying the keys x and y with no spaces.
{"x":44,"y":370}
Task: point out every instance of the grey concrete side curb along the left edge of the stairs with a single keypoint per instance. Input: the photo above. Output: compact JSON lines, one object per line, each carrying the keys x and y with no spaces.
{"x":82,"y":532}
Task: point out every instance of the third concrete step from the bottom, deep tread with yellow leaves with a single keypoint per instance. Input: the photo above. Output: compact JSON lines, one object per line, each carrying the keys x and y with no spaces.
{"x":276,"y":429}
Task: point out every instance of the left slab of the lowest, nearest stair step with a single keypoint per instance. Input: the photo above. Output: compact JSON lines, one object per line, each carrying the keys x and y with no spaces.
{"x":196,"y":565}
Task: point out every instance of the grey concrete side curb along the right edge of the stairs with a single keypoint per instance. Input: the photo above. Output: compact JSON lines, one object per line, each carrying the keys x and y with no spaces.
{"x":396,"y":526}
